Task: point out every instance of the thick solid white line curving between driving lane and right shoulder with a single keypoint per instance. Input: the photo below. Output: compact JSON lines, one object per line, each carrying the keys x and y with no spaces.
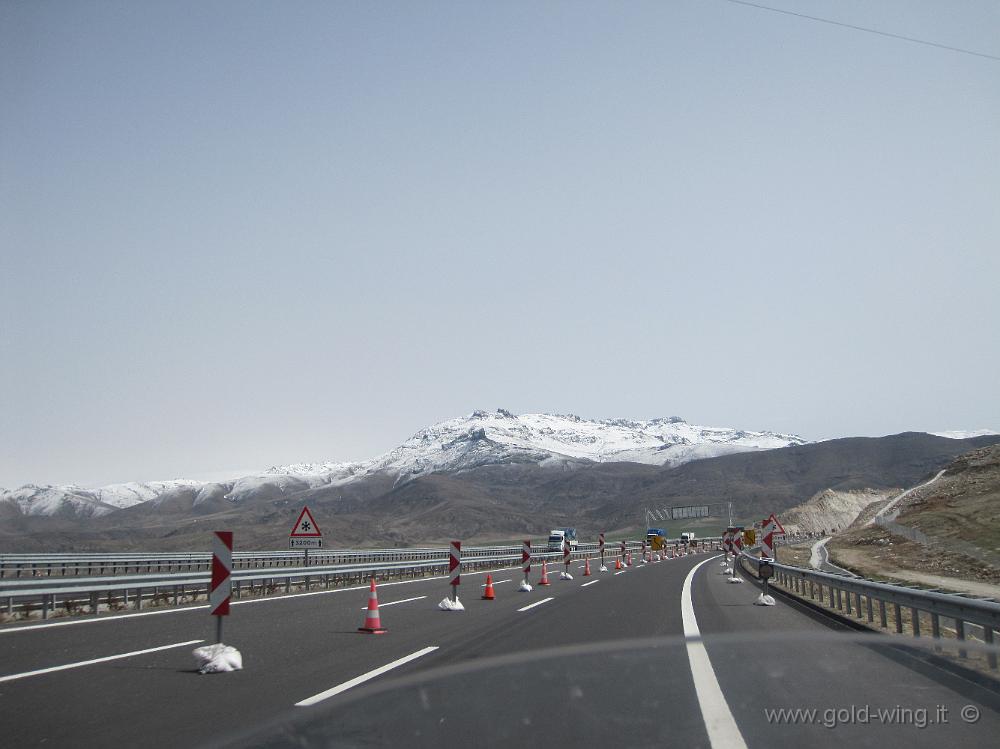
{"x":719,"y":722}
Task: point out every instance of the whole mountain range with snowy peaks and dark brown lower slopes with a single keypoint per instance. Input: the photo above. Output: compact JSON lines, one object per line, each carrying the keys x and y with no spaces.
{"x":484,"y":477}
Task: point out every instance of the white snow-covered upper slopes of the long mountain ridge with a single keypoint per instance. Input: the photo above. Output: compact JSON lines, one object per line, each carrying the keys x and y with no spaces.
{"x":479,"y":439}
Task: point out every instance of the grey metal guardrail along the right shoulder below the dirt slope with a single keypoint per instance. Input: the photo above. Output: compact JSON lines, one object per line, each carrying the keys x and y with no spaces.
{"x":840,"y":589}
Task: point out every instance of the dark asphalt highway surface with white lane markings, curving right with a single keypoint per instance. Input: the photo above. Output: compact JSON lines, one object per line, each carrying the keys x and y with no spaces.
{"x":465,"y":680}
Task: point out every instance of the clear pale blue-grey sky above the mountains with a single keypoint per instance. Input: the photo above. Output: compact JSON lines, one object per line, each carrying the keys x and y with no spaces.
{"x":234,"y":235}
